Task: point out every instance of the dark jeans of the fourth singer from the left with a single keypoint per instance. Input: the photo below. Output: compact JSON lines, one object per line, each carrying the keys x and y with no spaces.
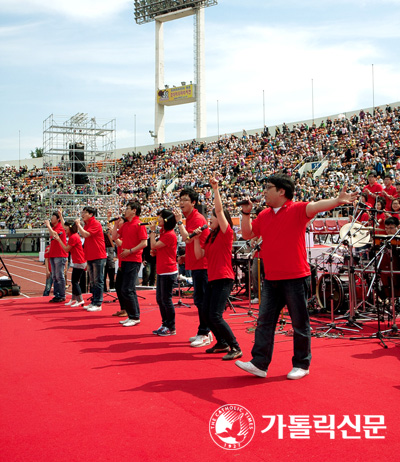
{"x":125,"y":286}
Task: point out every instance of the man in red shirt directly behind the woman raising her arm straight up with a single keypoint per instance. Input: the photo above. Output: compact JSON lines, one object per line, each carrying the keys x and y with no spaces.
{"x":194,"y":219}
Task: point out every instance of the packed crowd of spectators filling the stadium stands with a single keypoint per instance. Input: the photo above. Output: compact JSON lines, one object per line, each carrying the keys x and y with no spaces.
{"x":350,"y":147}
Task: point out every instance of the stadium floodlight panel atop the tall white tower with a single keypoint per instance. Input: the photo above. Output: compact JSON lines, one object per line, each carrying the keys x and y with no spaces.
{"x":148,"y":10}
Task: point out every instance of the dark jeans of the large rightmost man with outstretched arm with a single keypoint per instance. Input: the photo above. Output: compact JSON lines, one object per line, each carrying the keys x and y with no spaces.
{"x":274,"y":296}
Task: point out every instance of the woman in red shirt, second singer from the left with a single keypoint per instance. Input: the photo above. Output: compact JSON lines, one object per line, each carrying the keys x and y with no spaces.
{"x":74,"y":246}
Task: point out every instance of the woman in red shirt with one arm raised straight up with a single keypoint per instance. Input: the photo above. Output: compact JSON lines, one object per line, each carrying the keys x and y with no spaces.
{"x":218,"y":251}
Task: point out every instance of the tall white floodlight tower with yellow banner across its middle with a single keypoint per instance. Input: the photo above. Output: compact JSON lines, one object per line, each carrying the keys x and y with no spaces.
{"x":162,"y":11}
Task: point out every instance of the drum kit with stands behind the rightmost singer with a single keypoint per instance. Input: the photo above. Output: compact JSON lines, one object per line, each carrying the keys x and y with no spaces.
{"x":357,"y":278}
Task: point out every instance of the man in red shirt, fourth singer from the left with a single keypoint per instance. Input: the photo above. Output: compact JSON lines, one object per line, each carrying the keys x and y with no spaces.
{"x":134,"y":240}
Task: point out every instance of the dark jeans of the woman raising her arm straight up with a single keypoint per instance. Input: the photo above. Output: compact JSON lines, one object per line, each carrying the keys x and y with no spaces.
{"x":215,"y":299}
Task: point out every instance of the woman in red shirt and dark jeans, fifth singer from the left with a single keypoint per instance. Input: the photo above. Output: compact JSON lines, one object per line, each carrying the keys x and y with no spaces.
{"x":166,"y":269}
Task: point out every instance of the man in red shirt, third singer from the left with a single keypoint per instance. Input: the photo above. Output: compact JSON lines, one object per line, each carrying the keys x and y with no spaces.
{"x":95,"y":254}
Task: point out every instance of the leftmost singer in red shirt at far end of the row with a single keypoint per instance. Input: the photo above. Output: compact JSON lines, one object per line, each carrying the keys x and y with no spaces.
{"x":58,"y":257}
